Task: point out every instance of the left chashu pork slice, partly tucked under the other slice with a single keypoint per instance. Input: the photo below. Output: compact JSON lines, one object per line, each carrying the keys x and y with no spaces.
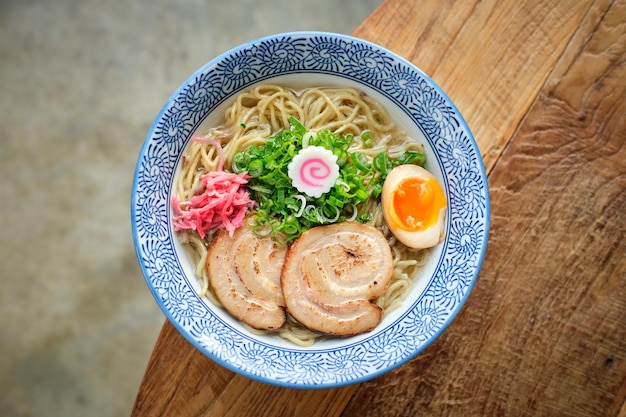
{"x":244,"y":273}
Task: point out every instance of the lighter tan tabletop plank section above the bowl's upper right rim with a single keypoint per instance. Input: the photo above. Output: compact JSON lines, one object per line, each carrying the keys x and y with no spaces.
{"x":491,"y":57}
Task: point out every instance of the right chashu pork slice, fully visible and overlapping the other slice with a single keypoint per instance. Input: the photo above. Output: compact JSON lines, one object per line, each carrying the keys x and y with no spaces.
{"x":331,"y":275}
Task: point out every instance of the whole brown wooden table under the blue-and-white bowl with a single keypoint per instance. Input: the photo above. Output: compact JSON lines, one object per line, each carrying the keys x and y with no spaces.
{"x":542,"y":84}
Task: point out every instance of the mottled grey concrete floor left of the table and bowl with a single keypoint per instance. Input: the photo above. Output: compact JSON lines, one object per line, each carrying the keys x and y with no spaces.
{"x":80,"y":83}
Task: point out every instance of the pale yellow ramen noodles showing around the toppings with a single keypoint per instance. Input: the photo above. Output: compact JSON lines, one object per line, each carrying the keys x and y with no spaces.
{"x":256,"y":115}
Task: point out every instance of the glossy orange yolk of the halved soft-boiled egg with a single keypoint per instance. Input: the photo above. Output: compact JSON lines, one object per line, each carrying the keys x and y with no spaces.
{"x":417,"y":202}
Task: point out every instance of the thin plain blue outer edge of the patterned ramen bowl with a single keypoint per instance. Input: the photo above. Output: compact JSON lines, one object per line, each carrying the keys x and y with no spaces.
{"x":470,"y":141}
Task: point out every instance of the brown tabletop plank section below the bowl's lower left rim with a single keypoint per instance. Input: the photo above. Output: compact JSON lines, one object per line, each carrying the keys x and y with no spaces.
{"x":180,"y":381}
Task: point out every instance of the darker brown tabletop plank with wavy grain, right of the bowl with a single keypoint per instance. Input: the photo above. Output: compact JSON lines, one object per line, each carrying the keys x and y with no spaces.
{"x":544,"y":331}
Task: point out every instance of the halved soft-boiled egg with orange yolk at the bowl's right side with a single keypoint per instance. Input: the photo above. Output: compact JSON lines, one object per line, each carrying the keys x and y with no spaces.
{"x":414,"y":206}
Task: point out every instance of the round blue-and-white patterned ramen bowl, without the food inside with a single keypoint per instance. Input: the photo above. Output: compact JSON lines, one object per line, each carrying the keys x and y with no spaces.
{"x":415,"y":102}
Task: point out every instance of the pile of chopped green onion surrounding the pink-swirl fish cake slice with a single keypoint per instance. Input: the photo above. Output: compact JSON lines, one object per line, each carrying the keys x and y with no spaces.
{"x":282,"y":211}
